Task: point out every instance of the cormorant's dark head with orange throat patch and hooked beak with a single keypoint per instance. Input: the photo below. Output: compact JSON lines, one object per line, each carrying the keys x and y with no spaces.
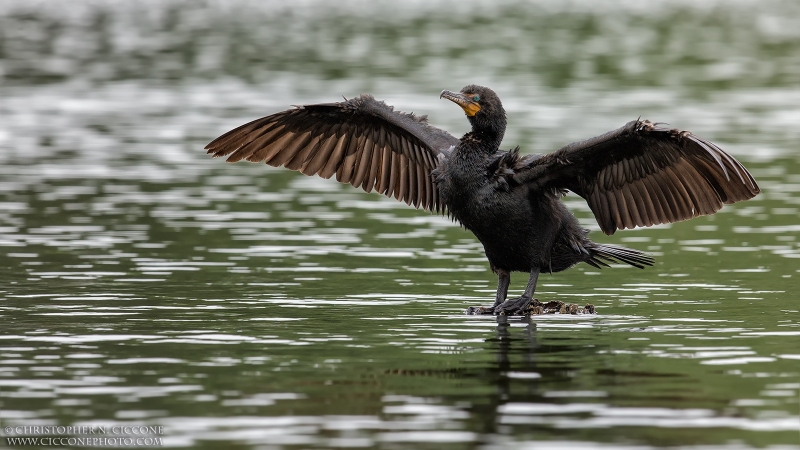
{"x":483,"y":109}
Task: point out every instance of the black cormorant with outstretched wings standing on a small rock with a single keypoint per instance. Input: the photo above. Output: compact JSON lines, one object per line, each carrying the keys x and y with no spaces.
{"x":639,"y":175}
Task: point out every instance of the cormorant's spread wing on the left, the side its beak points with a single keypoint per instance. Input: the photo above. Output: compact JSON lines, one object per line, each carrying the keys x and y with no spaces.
{"x":363,"y":141}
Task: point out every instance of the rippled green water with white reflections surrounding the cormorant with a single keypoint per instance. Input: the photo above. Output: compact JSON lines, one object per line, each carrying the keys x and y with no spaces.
{"x":241,"y":306}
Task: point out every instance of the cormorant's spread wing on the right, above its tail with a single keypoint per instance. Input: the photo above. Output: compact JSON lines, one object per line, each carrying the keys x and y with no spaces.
{"x":642,"y":175}
